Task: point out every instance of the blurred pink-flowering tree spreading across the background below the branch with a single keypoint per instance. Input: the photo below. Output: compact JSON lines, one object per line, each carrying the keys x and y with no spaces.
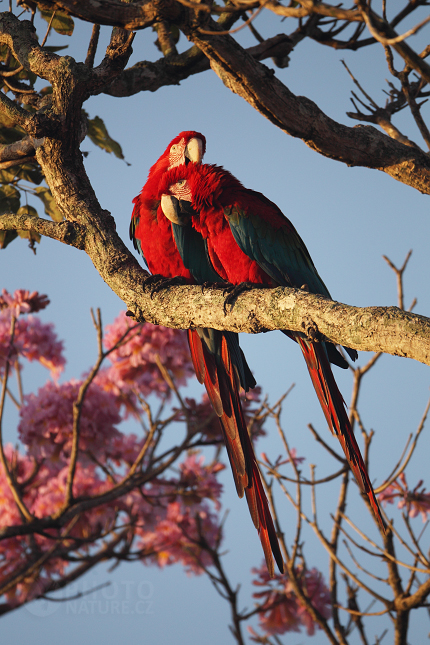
{"x":79,"y":488}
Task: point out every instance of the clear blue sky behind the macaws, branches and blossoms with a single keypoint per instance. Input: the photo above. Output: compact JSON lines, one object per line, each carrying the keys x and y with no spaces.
{"x":348,"y":218}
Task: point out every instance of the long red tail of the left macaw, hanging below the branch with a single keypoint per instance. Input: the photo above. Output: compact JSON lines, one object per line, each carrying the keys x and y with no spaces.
{"x":215,"y":368}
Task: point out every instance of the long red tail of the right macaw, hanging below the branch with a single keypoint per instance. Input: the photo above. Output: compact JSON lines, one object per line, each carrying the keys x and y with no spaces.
{"x":333,"y":406}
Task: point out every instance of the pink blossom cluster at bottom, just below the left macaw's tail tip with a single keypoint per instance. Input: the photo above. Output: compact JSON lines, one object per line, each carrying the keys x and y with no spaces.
{"x":281,"y":610}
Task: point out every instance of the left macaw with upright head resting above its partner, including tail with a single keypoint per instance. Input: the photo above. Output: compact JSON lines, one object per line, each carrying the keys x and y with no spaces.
{"x":217,"y":358}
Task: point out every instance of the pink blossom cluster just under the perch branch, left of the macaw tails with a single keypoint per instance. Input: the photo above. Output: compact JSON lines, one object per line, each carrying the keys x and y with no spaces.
{"x":134,"y":363}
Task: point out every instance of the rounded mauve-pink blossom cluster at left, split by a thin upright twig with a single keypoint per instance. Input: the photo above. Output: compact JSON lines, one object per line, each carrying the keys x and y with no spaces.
{"x":46,"y":425}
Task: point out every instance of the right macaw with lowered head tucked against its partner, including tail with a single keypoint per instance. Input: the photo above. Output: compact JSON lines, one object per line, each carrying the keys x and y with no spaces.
{"x":249,"y":240}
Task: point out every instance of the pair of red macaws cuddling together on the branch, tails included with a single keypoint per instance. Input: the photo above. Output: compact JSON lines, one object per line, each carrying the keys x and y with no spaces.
{"x":198,"y":222}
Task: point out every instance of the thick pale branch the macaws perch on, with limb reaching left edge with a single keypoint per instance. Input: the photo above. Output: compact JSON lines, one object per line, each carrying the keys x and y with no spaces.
{"x":385,"y":329}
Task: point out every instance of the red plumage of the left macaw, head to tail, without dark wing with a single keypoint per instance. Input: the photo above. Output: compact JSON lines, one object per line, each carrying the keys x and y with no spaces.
{"x":152,"y":236}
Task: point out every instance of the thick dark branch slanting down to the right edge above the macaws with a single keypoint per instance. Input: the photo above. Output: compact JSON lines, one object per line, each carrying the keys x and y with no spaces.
{"x":300,"y":117}
